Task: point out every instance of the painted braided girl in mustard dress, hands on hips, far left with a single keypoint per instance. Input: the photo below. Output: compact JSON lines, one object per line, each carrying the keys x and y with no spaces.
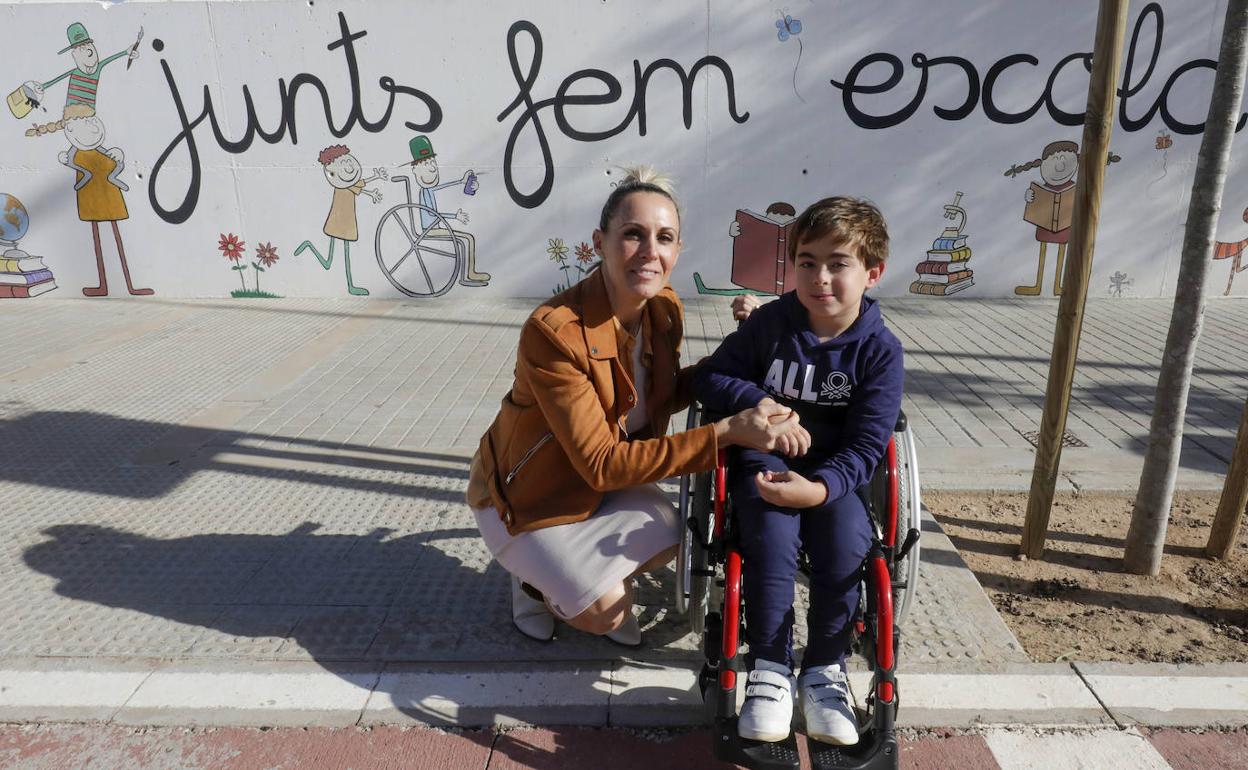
{"x":99,"y":187}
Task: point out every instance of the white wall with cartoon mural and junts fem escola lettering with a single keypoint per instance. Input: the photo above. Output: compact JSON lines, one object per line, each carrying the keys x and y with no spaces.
{"x":384,"y":149}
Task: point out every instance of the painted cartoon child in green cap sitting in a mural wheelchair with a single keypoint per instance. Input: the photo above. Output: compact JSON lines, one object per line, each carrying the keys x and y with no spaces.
{"x":420,"y":253}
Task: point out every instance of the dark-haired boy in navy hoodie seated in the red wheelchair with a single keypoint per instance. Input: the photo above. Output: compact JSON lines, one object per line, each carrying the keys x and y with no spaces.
{"x":822,"y":350}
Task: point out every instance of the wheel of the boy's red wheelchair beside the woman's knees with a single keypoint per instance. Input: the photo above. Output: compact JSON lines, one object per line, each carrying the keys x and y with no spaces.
{"x":693,"y":560}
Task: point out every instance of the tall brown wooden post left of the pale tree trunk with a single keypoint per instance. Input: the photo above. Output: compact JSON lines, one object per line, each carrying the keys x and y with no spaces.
{"x":1111,"y":27}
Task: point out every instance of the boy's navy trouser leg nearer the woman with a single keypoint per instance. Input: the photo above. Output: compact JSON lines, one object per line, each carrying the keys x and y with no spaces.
{"x":769,"y":547}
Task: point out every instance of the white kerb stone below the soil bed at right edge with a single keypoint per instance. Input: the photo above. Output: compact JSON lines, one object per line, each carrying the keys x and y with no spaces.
{"x":1171,"y":693}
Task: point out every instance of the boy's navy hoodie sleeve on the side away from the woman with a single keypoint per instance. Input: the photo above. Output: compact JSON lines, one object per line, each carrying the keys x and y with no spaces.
{"x":873,"y":415}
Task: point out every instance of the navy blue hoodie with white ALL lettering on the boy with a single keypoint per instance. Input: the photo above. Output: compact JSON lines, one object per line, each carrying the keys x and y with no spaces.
{"x":847,"y":391}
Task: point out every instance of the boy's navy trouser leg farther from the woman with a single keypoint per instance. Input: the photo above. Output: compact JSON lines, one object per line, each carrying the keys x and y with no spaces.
{"x":837,"y":542}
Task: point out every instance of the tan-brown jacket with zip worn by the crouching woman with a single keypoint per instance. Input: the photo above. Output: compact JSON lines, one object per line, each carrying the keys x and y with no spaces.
{"x":558,"y":442}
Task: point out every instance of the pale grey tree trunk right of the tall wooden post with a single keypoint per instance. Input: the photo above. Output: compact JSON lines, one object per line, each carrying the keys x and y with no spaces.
{"x":1151,"y":515}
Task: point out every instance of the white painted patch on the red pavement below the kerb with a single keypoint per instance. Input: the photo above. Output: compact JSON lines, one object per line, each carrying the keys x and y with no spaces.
{"x":1093,"y":751}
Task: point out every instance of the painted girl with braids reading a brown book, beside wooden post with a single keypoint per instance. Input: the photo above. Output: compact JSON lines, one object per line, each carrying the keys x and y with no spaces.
{"x":1050,"y":207}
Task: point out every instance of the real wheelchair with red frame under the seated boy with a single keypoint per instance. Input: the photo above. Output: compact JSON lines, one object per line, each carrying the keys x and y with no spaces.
{"x":709,"y":592}
